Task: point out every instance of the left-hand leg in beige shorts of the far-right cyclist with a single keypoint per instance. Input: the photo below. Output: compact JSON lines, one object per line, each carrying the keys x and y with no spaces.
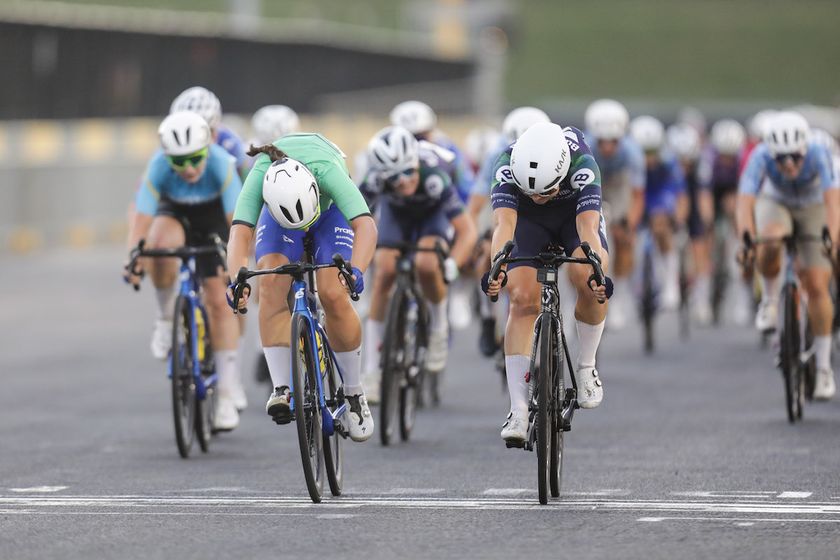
{"x":772,"y":221}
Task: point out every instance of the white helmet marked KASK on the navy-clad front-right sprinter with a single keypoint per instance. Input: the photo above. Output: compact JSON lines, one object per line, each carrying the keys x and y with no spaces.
{"x":540,"y":158}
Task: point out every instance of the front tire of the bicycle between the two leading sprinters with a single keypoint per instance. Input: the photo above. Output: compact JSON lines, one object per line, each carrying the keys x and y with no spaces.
{"x":391,"y":361}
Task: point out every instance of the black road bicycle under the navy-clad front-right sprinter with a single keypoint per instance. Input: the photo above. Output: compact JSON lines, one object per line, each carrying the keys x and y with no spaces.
{"x":551,"y":404}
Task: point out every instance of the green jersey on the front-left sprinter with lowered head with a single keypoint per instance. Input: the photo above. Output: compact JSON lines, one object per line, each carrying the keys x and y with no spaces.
{"x":324,"y":160}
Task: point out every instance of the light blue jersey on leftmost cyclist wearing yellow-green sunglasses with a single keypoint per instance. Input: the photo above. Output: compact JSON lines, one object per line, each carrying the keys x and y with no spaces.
{"x":219,"y":181}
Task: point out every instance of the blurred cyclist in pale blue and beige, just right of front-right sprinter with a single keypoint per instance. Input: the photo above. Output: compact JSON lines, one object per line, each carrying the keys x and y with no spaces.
{"x":622,"y":166}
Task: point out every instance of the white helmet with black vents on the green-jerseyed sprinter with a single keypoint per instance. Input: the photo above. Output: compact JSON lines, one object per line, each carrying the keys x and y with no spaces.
{"x":291,"y":194}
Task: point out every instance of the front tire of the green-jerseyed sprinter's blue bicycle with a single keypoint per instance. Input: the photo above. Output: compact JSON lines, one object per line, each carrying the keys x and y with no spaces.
{"x":307,"y":408}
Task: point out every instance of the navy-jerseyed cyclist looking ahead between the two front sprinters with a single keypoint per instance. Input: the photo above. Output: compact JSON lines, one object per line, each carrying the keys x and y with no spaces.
{"x":419,"y":205}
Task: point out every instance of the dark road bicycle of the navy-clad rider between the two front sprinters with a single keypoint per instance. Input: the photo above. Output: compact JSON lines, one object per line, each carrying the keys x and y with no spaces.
{"x":404,"y":346}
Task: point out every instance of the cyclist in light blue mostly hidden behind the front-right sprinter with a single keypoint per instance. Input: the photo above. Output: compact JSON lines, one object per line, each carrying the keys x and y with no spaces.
{"x":516,"y":122}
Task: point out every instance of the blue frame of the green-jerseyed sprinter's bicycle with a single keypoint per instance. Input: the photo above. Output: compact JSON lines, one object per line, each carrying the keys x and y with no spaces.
{"x":306,"y":306}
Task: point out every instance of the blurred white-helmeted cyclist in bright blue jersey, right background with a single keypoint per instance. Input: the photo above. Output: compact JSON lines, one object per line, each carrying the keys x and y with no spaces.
{"x":666,"y":205}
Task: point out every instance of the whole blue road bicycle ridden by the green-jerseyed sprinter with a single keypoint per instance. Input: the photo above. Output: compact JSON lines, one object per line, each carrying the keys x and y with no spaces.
{"x":317,"y":394}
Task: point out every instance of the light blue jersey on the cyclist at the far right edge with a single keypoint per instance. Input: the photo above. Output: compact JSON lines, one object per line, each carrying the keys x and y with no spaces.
{"x":761,"y":174}
